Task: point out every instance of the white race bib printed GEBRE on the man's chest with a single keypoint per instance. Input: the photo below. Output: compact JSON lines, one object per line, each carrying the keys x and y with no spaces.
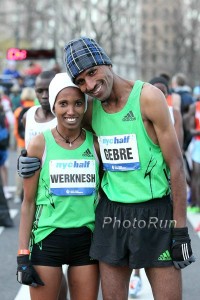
{"x":119,"y":153}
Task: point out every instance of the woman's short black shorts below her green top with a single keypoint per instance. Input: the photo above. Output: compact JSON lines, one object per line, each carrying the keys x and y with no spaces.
{"x":64,"y":246}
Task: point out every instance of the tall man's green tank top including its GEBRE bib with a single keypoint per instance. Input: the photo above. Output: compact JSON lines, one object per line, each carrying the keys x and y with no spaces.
{"x":135,"y":170}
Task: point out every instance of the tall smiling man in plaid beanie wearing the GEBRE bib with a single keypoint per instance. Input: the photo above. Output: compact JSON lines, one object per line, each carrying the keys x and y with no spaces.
{"x":138,"y":144}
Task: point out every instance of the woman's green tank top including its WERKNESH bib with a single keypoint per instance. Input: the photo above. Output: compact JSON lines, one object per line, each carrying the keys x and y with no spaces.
{"x":68,"y":188}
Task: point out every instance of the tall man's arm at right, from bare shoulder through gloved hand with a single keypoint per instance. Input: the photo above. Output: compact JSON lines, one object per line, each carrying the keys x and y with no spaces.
{"x":155,"y":112}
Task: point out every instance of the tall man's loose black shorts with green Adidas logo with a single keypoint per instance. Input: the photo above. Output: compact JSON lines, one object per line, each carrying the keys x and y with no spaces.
{"x":134,"y":235}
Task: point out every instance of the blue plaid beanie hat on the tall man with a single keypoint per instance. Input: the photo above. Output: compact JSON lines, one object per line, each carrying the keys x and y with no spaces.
{"x":82,"y":54}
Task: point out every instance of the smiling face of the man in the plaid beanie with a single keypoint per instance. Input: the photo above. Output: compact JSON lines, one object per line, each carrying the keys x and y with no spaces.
{"x":96,"y":82}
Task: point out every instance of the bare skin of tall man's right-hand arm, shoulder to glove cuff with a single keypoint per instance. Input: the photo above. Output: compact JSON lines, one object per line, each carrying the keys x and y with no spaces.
{"x":155,"y":112}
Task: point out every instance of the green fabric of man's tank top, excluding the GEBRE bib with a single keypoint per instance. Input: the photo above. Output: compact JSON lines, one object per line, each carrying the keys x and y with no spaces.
{"x":151,"y":180}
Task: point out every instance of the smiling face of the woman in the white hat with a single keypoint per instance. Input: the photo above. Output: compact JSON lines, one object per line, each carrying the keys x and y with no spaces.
{"x":69,"y":107}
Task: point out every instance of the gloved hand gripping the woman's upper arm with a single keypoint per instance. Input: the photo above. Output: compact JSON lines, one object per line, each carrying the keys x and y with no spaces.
{"x":26,"y":166}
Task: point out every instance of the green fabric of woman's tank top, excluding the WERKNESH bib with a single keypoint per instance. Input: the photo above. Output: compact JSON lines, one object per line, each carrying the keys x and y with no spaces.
{"x":63,"y":211}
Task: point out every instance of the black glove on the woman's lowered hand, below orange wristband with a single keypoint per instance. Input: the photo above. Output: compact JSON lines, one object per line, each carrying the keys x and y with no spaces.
{"x":26,"y":273}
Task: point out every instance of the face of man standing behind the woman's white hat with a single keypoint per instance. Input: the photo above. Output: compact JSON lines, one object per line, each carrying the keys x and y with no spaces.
{"x":42,"y":92}
